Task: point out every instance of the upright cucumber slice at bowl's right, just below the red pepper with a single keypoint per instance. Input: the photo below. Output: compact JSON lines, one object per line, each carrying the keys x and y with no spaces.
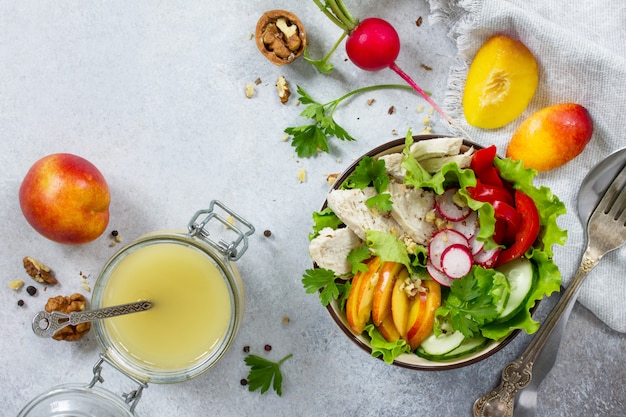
{"x":521,"y":274}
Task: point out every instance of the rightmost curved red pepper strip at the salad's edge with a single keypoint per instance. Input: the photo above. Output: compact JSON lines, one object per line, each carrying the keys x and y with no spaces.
{"x":526,"y":233}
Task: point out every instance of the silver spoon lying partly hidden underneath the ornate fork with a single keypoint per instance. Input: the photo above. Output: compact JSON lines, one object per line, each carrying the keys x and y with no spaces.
{"x":593,"y":187}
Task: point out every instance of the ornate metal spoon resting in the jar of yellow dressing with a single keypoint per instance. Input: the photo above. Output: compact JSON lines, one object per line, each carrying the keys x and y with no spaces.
{"x":47,"y":324}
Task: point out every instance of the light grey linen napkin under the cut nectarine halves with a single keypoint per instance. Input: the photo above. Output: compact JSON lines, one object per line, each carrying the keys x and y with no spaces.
{"x":581,"y":51}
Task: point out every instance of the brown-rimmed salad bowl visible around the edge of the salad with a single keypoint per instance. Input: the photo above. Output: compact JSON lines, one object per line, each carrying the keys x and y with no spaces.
{"x":412,"y":360}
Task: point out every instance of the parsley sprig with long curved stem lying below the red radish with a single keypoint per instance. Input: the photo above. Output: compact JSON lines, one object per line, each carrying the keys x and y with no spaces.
{"x":312,"y":138}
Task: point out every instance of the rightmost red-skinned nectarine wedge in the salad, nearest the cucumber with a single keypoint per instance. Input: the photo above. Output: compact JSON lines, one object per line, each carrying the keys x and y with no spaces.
{"x":422,"y":314}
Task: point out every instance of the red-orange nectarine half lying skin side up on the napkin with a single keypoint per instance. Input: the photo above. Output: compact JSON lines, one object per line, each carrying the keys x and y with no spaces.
{"x":551,"y":137}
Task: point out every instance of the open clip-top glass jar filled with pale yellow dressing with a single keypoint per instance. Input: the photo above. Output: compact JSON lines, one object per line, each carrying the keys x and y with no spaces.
{"x":197,"y":301}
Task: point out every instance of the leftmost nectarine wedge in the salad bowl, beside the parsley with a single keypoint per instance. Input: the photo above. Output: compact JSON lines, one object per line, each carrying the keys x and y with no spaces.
{"x":361,"y":296}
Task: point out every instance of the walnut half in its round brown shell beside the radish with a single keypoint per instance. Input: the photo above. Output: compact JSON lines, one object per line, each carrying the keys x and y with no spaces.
{"x":280,"y":36}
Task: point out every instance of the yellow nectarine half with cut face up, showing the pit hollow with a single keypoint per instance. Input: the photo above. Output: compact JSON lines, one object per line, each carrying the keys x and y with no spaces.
{"x":501,"y":81}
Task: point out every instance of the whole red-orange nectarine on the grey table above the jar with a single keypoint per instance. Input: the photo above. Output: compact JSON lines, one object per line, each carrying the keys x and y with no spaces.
{"x":66,"y":199}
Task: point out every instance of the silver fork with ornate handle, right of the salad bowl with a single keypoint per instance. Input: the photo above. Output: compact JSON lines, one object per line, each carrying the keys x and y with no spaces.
{"x":606,"y":231}
